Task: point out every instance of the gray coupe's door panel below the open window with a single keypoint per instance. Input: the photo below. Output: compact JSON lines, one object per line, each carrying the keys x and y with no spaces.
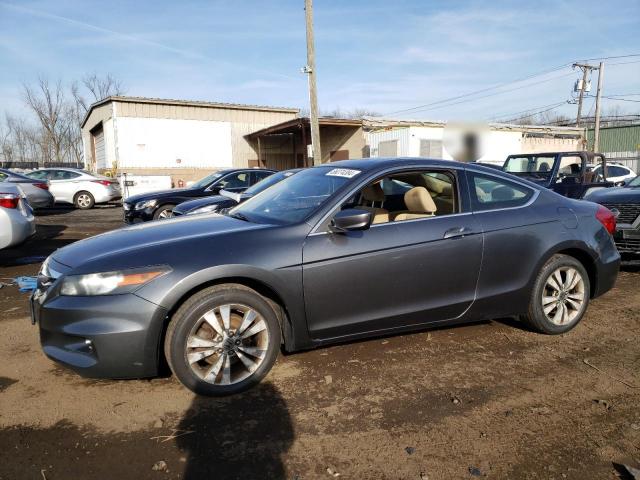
{"x":392,"y":275}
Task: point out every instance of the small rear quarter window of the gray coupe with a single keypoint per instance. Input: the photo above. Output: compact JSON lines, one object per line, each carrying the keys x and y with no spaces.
{"x":492,"y":193}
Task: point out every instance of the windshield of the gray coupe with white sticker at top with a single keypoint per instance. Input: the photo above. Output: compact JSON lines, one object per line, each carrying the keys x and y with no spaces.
{"x":295,"y":198}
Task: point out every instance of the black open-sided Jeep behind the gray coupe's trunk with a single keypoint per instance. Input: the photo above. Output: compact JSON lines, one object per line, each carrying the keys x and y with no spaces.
{"x":566,"y":173}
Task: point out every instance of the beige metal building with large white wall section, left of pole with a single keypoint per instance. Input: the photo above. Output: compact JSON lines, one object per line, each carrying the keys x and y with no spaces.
{"x":183,"y":139}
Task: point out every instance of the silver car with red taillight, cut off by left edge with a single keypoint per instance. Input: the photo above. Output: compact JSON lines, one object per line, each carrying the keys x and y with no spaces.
{"x":16,"y":216}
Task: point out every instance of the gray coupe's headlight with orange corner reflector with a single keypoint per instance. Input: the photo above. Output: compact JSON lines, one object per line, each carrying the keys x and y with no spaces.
{"x":110,"y":283}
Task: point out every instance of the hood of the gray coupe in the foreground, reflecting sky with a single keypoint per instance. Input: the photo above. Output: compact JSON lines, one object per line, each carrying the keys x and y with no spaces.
{"x":139,"y":237}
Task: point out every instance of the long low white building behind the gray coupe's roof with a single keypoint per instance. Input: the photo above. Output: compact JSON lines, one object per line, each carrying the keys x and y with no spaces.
{"x":393,"y":138}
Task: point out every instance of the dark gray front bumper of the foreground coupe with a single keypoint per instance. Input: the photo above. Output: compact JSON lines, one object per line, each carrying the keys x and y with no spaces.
{"x":111,"y":336}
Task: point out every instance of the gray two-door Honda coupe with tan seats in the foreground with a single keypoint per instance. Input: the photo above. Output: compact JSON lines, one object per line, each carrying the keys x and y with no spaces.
{"x":337,"y":252}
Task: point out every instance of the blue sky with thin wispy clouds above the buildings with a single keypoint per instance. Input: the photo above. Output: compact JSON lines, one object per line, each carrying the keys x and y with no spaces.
{"x":385,"y":56}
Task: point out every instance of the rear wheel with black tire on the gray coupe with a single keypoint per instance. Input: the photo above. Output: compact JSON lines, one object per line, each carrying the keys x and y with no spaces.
{"x":560,"y":296}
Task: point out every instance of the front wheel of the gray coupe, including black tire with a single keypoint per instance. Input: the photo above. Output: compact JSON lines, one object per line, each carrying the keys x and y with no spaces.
{"x":223,"y":340}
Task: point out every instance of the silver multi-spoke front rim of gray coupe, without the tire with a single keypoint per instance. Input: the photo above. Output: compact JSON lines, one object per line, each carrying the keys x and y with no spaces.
{"x":227,"y":344}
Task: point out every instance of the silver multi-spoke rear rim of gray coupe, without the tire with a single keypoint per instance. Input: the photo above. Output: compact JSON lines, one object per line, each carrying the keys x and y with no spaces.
{"x":563,"y":295}
